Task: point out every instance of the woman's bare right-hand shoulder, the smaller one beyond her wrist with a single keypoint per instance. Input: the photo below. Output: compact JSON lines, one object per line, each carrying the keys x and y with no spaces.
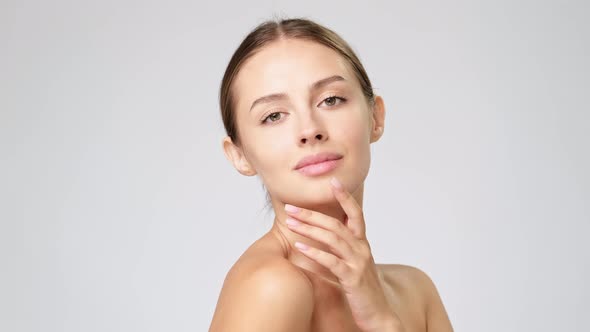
{"x":414,"y":282}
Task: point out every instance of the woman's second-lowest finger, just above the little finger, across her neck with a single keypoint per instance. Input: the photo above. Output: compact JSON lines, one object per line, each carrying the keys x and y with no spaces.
{"x":336,"y":244}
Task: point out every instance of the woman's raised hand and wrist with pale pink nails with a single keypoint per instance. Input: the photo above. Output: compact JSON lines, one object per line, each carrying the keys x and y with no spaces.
{"x":350,"y":259}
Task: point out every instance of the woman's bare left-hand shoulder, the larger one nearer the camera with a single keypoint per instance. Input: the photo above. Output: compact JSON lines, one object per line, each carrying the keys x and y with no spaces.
{"x":264,"y":292}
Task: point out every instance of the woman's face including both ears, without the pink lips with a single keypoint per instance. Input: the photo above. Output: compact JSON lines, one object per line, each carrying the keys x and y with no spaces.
{"x":302,"y":120}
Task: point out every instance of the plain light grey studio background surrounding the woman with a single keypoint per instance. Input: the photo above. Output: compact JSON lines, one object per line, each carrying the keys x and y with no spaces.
{"x":119,"y":211}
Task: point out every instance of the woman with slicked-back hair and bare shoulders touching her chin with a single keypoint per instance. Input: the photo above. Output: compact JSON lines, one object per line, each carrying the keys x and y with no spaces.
{"x":300,"y":113}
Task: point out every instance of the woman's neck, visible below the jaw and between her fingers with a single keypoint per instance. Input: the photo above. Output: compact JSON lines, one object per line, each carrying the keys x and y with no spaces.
{"x":288,"y":238}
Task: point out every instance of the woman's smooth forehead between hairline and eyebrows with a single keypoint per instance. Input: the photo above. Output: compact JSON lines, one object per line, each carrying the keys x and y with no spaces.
{"x":288,"y":65}
